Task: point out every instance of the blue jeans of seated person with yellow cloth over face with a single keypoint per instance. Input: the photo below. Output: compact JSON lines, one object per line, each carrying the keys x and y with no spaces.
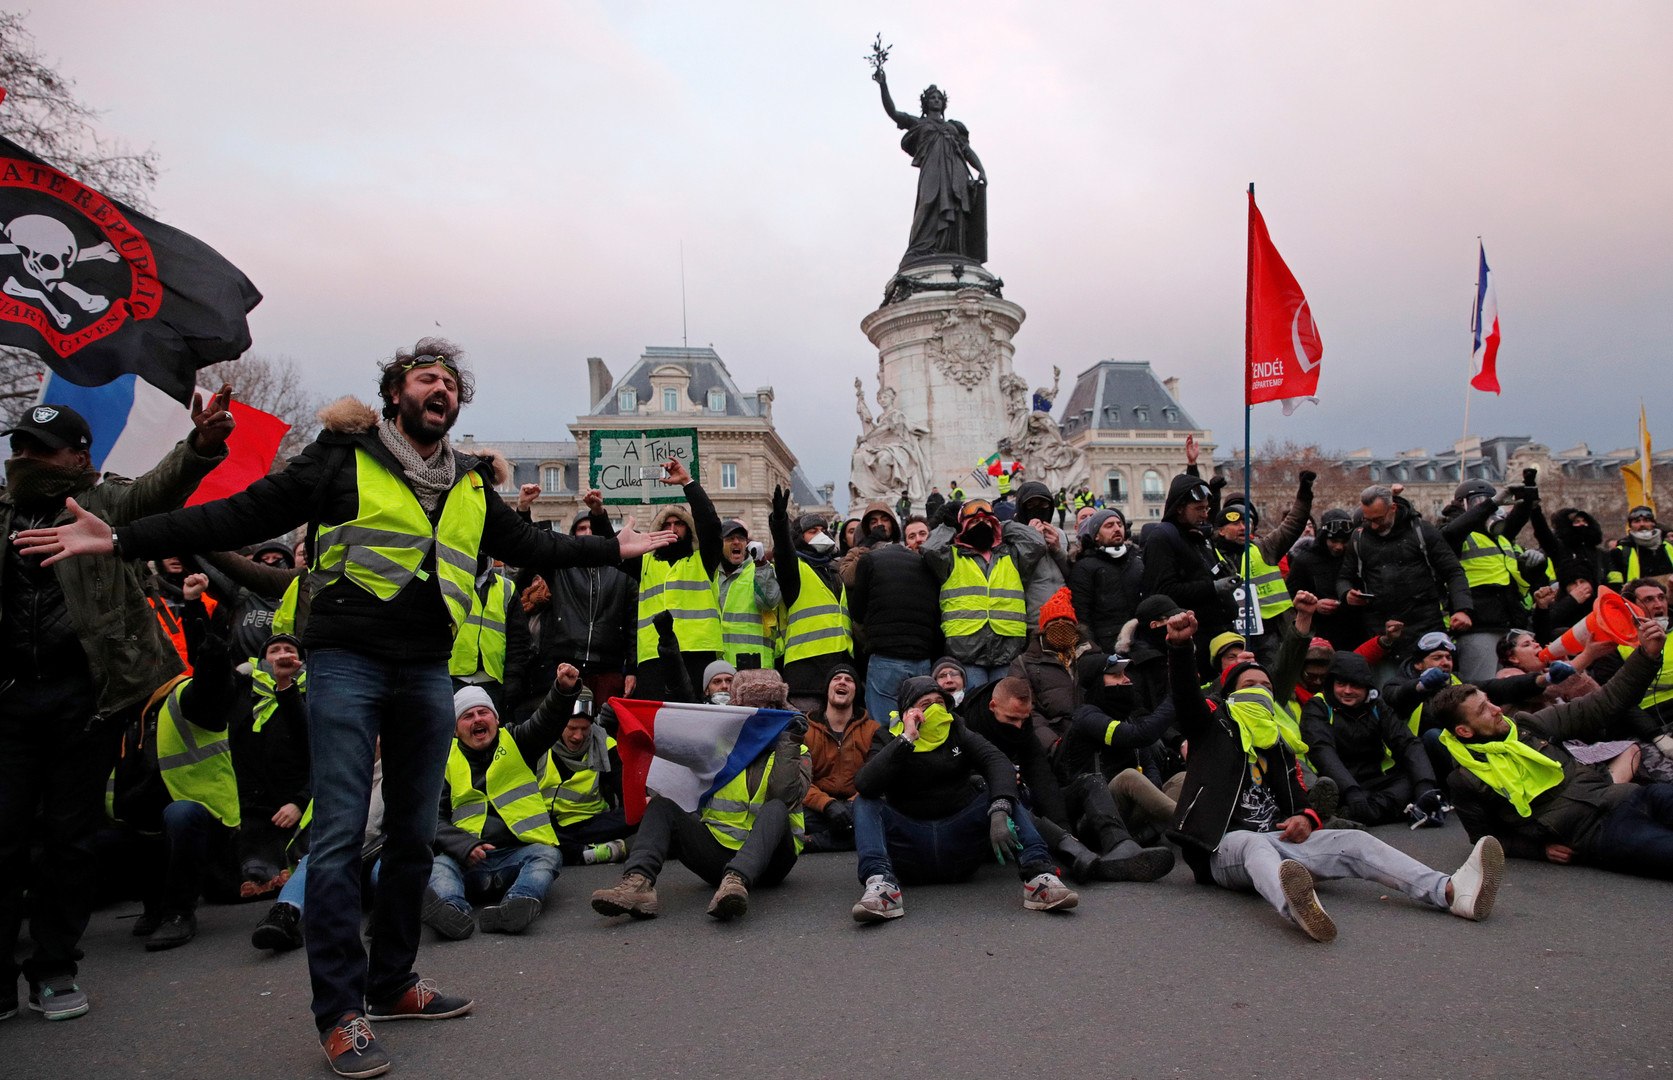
{"x":934,"y":852}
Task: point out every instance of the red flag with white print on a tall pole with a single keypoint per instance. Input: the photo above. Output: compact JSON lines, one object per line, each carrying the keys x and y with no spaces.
{"x":1282,"y":347}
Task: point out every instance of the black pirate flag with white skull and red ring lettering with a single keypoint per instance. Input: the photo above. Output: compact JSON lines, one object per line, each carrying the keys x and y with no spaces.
{"x":98,"y":290}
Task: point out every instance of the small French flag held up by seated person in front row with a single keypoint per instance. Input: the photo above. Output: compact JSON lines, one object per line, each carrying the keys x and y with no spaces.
{"x":688,"y":751}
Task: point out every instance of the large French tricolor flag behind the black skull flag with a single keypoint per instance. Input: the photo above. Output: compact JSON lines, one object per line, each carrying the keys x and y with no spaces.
{"x":135,"y":425}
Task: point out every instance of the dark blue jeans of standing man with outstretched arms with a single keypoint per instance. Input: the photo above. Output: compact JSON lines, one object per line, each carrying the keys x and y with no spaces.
{"x":354,"y":701}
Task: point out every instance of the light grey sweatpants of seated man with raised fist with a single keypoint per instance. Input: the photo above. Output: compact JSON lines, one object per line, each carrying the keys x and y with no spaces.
{"x":1251,"y":862}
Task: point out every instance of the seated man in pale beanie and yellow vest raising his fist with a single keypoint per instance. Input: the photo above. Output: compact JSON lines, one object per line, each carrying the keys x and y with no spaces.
{"x":496,"y":838}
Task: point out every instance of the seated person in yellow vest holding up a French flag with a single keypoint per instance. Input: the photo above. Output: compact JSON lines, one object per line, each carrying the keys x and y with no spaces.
{"x":749,"y":835}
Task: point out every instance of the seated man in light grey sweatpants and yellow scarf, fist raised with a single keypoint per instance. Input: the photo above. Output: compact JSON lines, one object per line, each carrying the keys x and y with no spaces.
{"x":1246,"y":822}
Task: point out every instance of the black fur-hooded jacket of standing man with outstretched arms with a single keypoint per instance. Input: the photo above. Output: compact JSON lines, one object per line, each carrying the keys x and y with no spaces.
{"x":320,"y":487}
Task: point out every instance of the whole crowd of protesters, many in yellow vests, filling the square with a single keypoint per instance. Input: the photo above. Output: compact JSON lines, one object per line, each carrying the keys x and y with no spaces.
{"x":367,"y":685}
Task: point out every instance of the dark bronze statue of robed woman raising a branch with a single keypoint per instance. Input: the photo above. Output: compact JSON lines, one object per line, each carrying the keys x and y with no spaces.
{"x":951,"y":213}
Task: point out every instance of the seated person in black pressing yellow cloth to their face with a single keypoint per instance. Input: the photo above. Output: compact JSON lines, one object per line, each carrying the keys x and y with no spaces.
{"x":926,"y":817}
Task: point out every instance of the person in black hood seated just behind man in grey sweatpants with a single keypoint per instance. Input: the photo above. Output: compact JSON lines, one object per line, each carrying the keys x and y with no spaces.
{"x":1366,"y":748}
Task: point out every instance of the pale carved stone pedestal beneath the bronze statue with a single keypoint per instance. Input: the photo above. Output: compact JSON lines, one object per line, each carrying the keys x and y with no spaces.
{"x":944,"y":347}
